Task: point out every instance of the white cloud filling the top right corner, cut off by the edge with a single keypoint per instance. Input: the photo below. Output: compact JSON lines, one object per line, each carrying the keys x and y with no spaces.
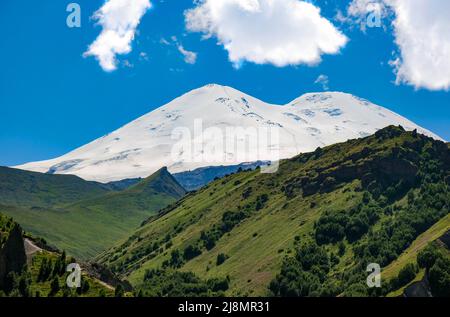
{"x":422,"y":35}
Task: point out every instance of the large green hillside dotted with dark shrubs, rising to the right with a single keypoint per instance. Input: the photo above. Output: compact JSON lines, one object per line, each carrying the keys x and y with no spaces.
{"x":308,"y":230}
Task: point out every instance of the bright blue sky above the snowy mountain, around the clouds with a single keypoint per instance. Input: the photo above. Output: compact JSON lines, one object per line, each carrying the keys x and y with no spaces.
{"x":52,"y":99}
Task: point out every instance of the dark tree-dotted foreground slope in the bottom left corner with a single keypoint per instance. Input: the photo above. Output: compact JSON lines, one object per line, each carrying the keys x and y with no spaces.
{"x":40,"y":273}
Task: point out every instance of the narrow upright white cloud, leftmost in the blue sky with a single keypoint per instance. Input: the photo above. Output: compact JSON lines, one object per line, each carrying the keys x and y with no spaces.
{"x":119,"y":20}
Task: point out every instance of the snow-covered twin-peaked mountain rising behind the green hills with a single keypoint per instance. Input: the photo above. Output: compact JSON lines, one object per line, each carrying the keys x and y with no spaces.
{"x":202,"y":116}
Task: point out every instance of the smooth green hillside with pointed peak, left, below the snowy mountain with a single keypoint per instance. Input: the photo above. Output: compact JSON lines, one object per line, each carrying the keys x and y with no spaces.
{"x":82,"y":217}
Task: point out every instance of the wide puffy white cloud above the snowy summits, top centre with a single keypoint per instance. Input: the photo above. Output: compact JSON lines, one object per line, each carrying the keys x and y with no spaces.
{"x":278,"y":32}
